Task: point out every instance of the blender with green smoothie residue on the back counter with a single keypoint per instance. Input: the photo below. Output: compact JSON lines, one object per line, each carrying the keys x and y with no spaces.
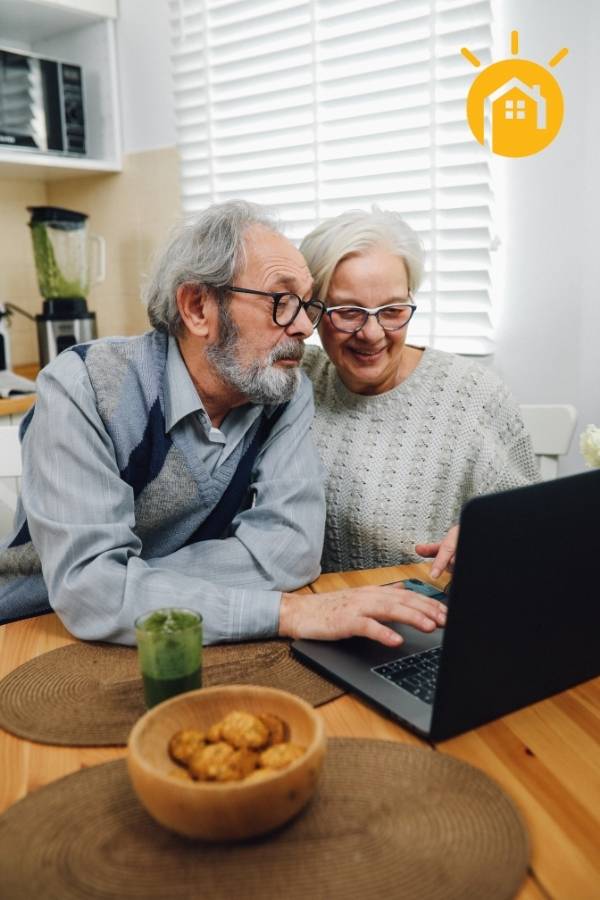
{"x":61,"y":249}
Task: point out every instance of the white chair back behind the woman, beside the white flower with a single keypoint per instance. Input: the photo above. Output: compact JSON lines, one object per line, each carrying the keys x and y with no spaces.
{"x":551,"y":426}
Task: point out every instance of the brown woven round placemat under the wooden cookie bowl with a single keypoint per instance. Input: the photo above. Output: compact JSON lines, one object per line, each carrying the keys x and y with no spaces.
{"x":388,"y":821}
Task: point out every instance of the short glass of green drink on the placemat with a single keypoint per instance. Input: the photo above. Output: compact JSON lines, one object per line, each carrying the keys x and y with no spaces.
{"x":170,"y":652}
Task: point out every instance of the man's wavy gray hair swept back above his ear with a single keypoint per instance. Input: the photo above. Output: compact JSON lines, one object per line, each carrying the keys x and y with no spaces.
{"x":208,"y":250}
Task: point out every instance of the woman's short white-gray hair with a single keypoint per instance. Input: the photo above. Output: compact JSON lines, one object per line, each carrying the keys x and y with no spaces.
{"x":354,"y":232}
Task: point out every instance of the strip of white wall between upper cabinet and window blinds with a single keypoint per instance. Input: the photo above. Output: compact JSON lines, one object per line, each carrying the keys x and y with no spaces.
{"x":145,"y":71}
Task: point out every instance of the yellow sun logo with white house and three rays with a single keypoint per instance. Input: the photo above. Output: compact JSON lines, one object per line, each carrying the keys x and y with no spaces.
{"x":523,"y":102}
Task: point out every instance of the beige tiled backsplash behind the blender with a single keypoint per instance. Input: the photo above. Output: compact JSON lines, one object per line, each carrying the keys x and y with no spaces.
{"x":133,"y":211}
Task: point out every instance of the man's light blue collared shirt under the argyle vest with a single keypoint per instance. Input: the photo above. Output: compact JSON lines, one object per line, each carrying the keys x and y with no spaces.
{"x":81,"y":514}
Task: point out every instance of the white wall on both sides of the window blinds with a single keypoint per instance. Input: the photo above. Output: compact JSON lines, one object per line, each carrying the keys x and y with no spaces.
{"x":548,"y":338}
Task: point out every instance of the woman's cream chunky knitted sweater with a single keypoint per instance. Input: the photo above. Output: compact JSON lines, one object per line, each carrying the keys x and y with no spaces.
{"x":401,"y":464}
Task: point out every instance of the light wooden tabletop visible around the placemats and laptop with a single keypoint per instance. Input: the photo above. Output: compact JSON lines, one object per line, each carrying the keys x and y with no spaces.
{"x":546,"y":757}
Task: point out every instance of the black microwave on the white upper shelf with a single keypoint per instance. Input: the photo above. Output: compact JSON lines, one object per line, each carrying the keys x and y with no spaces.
{"x":41,"y":104}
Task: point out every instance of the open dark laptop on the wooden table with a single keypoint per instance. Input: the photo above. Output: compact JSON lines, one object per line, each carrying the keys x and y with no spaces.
{"x":523,"y":617}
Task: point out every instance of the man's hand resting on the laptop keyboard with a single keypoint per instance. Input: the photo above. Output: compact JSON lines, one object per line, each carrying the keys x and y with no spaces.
{"x":358,"y":611}
